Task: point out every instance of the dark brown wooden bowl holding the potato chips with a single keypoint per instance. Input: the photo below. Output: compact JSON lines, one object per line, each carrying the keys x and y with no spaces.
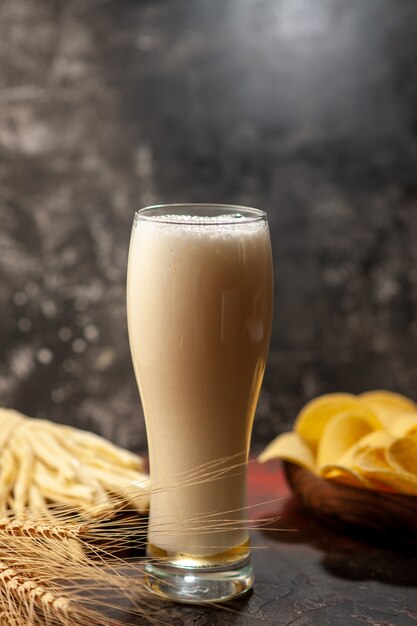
{"x":374,"y":512}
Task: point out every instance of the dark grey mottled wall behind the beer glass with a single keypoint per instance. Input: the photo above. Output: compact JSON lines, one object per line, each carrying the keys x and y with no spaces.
{"x":306,"y":108}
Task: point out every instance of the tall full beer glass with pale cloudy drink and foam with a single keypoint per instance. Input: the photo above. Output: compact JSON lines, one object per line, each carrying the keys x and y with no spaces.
{"x":199,"y":301}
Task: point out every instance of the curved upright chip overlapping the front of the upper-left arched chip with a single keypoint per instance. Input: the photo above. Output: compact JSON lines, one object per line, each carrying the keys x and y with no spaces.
{"x":342,"y":431}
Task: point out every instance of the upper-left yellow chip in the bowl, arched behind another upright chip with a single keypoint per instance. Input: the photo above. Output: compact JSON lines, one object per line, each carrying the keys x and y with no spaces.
{"x":312,"y":419}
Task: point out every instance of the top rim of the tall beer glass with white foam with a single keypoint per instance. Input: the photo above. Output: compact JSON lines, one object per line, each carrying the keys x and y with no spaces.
{"x":226,"y":213}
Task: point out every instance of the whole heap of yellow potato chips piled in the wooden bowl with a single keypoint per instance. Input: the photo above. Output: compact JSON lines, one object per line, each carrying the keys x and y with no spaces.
{"x":367,"y":441}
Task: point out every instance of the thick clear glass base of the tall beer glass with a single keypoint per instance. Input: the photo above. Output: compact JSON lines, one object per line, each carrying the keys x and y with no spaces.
{"x":199,"y":585}
